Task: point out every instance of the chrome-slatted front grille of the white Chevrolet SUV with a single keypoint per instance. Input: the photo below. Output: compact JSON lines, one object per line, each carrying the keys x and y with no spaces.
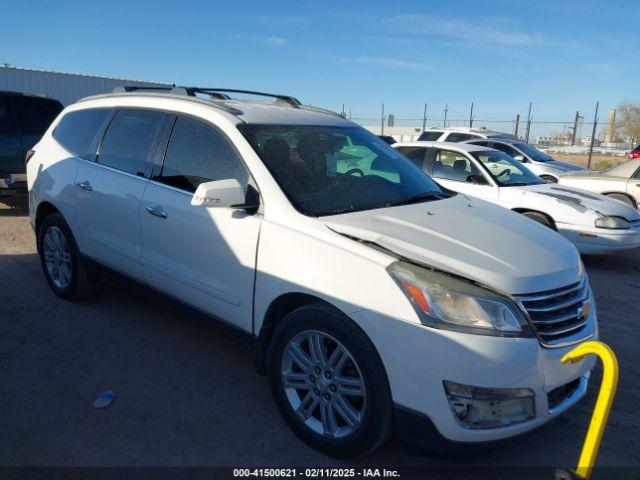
{"x":560,"y":316}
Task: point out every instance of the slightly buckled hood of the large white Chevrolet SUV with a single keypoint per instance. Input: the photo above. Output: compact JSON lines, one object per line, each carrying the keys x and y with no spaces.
{"x":471,"y":238}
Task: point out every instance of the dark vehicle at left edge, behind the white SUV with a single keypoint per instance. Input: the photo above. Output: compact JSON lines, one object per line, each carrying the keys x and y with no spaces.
{"x":23,"y":120}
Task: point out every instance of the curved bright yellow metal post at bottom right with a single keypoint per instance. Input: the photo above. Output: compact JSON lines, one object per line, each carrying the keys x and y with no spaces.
{"x":603,"y":404}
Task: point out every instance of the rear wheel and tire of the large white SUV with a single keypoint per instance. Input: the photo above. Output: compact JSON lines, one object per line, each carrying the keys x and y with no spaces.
{"x":64,"y":268}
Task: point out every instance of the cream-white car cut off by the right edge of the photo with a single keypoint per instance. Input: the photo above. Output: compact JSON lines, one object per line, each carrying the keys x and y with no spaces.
{"x":621,"y":182}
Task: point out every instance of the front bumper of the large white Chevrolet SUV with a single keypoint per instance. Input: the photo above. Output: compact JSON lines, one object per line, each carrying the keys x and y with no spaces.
{"x":418,"y":359}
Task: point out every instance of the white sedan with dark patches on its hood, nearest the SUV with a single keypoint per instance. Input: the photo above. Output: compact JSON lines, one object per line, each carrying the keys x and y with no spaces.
{"x":594,"y":223}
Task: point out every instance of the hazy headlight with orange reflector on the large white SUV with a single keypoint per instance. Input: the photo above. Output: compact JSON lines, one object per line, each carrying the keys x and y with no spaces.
{"x":444,"y":301}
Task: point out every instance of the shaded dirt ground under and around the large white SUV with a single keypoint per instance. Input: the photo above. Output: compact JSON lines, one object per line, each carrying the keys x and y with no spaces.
{"x":187,"y":392}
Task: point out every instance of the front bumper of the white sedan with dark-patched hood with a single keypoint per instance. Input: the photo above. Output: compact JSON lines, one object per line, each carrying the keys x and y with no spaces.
{"x":596,"y":241}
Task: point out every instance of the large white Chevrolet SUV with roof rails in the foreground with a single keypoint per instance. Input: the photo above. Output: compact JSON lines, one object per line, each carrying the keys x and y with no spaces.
{"x":379,"y":302}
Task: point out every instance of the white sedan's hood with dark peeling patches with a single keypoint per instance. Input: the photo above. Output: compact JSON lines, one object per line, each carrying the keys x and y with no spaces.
{"x":549,"y":197}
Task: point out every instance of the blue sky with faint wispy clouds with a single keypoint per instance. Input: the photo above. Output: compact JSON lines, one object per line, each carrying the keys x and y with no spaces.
{"x":561,"y":55}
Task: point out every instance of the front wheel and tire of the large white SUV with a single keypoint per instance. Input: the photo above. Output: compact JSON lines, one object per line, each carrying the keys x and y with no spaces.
{"x":329,"y":383}
